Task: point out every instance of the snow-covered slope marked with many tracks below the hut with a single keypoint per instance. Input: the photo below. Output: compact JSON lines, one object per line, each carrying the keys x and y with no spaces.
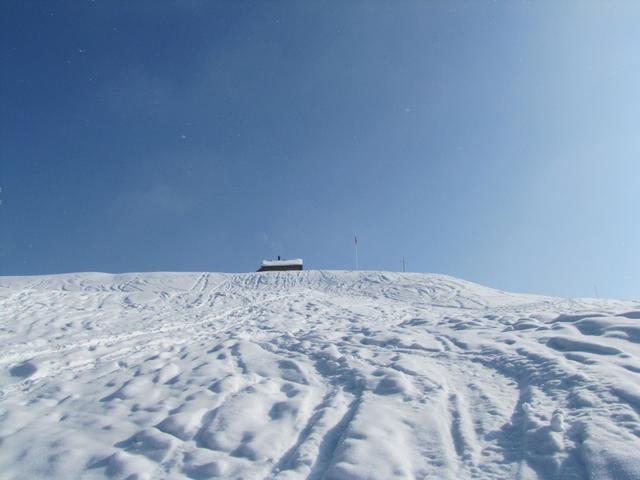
{"x":314,"y":374}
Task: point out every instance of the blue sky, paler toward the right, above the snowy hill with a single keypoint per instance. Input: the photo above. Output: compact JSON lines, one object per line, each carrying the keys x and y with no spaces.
{"x":494,"y":141}
